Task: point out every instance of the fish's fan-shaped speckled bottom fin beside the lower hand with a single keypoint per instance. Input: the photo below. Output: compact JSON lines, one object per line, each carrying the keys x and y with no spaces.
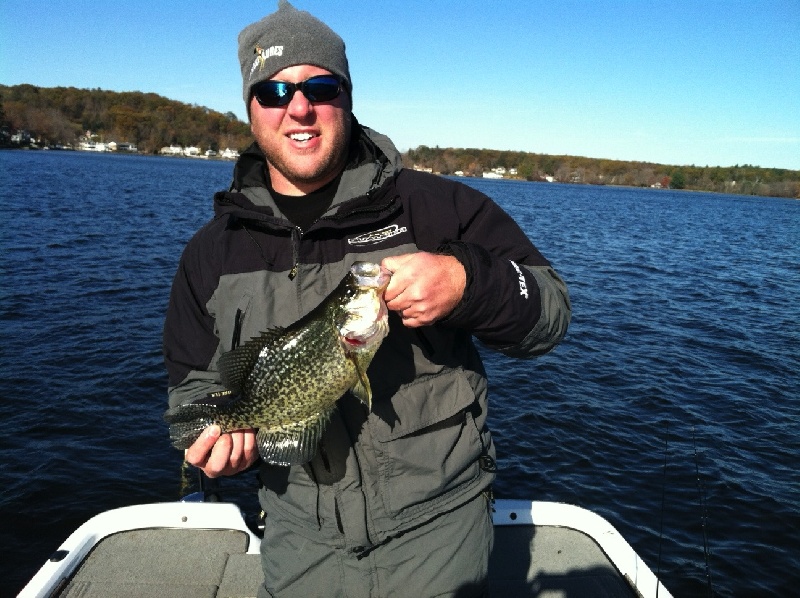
{"x":294,"y":444}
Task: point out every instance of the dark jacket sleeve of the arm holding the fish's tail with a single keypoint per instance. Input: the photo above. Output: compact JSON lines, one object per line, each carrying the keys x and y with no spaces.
{"x":189,"y":341}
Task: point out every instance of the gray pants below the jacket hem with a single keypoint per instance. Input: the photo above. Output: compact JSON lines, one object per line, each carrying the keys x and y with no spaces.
{"x":448,"y":556}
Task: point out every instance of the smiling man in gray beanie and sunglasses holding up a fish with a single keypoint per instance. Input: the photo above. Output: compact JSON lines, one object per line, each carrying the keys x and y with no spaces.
{"x":395,"y":502}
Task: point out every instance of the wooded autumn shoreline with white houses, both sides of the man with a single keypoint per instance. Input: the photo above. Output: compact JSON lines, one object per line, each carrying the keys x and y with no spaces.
{"x":65,"y":116}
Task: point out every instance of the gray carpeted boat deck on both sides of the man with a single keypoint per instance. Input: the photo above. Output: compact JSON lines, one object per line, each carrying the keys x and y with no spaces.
{"x":527,"y":561}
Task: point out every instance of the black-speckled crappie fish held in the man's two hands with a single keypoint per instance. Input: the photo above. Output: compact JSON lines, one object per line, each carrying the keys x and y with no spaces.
{"x":286,"y":381}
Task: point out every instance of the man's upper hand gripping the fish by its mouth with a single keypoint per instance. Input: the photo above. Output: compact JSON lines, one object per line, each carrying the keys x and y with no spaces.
{"x":425,"y":287}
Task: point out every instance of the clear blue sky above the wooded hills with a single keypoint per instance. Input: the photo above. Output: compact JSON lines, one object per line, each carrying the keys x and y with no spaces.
{"x":703,"y":82}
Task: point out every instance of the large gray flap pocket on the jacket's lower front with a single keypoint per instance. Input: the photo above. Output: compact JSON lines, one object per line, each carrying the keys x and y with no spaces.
{"x":428,"y":442}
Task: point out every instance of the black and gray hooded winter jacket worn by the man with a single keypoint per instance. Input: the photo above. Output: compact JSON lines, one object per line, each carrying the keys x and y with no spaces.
{"x":424,"y":448}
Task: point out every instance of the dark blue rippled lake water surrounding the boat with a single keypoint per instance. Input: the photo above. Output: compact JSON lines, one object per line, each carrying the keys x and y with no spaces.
{"x":672,"y":408}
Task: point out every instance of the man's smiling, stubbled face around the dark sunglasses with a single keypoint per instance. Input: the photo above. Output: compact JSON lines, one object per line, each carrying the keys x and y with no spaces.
{"x":305,"y":143}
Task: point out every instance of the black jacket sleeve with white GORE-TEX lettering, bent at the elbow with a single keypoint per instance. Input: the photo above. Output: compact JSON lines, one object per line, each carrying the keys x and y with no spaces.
{"x":514,"y":302}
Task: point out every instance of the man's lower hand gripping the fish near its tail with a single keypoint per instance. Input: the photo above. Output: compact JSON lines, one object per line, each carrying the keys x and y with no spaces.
{"x":223,"y":454}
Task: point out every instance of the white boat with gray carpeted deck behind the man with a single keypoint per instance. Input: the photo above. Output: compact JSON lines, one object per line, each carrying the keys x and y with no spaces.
{"x":198,"y":548}
